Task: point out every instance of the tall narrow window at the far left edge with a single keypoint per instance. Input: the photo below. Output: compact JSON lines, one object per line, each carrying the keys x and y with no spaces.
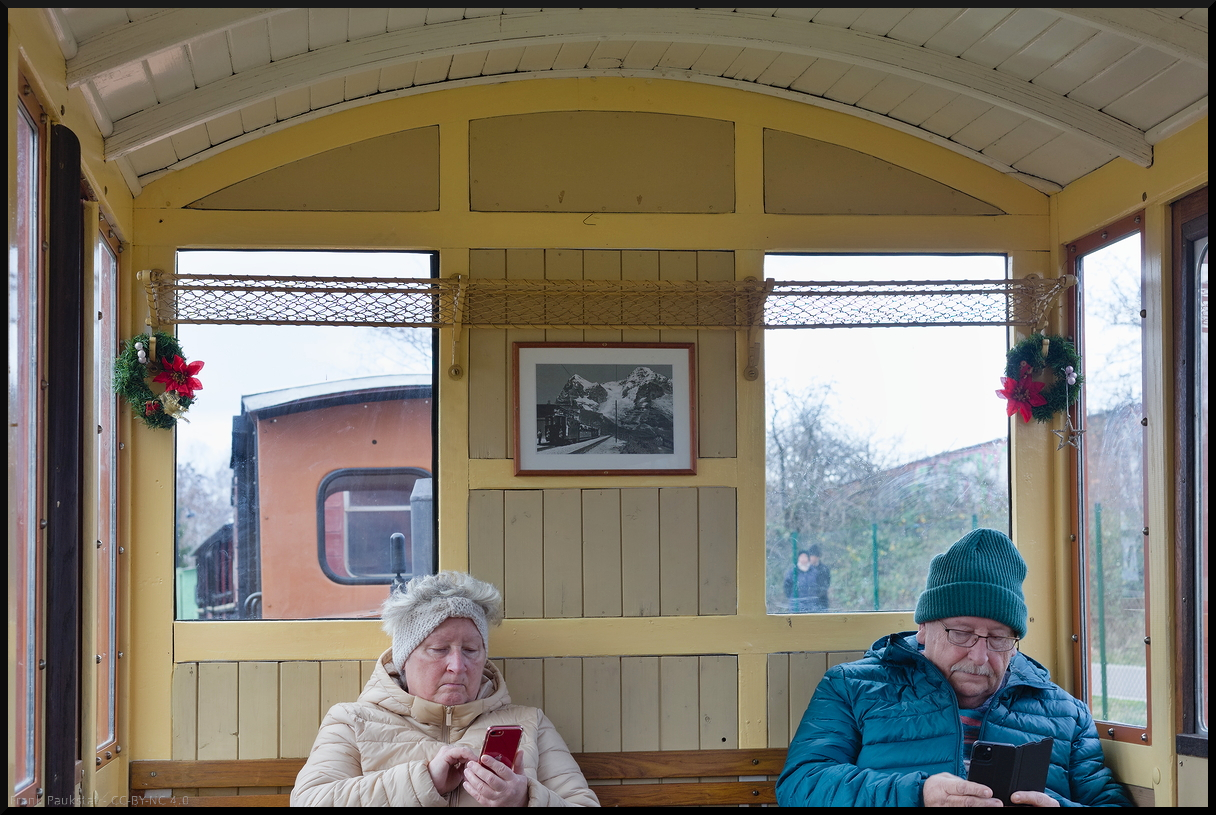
{"x":27,"y":541}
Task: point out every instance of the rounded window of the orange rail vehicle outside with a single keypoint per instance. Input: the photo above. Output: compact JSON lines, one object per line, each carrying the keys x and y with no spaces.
{"x":374,"y":526}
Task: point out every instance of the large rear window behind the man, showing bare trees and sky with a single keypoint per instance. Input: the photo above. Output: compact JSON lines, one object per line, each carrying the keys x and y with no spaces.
{"x":885,"y":445}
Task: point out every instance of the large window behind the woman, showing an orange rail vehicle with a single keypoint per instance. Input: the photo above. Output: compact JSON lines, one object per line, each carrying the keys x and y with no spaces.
{"x":283,"y":408}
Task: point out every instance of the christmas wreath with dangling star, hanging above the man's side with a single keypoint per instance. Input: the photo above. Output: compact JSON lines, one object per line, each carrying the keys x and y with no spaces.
{"x":1027,"y":392}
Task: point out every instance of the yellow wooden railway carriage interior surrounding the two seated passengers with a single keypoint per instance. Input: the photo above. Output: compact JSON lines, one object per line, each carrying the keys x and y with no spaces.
{"x":356,"y":220}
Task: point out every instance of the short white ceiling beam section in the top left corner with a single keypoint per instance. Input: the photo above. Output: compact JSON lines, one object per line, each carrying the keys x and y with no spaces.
{"x":151,"y":36}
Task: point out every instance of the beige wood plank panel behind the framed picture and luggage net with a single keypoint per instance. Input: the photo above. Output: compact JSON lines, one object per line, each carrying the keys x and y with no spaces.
{"x":491,"y":379}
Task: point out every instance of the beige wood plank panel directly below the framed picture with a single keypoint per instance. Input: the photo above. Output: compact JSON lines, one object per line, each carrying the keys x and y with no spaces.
{"x":607,"y":553}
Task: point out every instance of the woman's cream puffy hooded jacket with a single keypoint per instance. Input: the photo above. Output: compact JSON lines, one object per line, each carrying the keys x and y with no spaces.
{"x":375,"y":752}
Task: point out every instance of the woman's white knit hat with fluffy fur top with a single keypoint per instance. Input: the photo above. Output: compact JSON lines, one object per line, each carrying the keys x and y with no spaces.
{"x":410,"y":616}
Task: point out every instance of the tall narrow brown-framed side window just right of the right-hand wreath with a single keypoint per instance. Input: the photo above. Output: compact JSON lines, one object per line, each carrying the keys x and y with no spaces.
{"x":1112,"y":519}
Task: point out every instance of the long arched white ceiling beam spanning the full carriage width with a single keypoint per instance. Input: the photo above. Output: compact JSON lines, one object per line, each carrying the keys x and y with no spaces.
{"x":666,"y":25}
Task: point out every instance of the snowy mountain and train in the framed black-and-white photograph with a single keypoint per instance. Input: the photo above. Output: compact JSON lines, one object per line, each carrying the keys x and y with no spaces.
{"x":633,"y":415}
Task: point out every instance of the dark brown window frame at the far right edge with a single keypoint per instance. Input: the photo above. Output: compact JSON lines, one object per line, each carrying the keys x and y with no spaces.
{"x":1189,"y":223}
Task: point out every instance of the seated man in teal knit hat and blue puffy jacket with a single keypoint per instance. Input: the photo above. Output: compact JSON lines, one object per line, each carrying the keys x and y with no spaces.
{"x":896,"y":728}
